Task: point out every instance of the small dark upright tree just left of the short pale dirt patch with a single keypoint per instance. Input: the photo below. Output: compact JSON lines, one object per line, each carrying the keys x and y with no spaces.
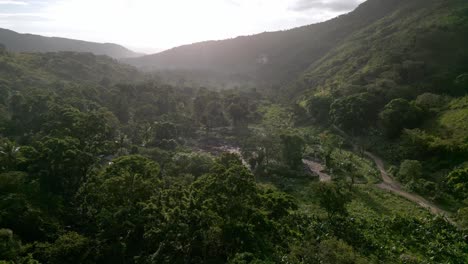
{"x":293,"y":147}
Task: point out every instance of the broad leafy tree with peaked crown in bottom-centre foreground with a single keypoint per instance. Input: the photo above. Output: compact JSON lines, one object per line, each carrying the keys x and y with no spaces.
{"x":222,"y":215}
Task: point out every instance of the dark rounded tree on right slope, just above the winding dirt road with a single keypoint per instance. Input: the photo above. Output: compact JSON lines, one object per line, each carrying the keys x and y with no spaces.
{"x":399,"y":114}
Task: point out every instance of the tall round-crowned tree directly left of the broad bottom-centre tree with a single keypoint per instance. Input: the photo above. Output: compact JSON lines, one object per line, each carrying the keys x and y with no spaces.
{"x":112,"y":202}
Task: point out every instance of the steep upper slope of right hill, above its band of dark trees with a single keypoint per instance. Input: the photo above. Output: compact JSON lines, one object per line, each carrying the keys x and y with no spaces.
{"x":419,"y":48}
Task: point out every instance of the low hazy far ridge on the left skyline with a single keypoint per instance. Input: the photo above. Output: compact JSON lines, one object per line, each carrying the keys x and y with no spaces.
{"x":17,"y":42}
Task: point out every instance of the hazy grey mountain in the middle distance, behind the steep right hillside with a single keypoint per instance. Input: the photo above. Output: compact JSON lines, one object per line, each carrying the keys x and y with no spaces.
{"x":272,"y":56}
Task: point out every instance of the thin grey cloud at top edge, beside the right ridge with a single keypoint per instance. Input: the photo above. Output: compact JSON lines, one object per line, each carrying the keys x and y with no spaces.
{"x":332,"y":5}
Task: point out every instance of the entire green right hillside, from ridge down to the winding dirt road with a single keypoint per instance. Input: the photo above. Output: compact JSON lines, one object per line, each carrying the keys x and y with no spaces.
{"x":402,"y":82}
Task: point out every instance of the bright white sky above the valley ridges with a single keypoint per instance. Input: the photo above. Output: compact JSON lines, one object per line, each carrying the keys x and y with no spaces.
{"x":153,"y":25}
